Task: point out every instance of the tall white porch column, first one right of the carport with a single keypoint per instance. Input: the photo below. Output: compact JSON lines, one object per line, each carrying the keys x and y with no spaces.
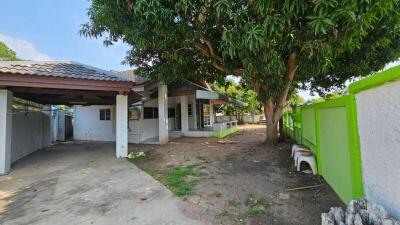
{"x":162,"y":113}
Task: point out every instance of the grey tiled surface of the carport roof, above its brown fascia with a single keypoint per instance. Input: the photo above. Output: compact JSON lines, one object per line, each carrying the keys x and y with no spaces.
{"x":65,"y":69}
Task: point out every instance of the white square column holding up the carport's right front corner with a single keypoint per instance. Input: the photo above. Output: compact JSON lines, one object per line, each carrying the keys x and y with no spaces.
{"x":121,"y":126}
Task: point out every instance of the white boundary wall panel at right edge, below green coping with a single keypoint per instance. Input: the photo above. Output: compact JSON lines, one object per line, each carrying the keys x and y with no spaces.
{"x":378,"y":112}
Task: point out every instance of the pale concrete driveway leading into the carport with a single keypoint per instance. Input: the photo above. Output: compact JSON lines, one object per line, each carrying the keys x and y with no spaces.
{"x":83,"y":183}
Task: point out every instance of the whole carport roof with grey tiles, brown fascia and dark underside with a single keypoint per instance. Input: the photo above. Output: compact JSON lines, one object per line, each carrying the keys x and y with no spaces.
{"x":63,"y":82}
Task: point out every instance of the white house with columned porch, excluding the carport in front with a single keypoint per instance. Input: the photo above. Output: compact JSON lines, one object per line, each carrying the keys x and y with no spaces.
{"x":188,"y":109}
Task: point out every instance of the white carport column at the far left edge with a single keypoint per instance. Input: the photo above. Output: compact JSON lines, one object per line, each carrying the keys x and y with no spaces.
{"x":6,"y":99}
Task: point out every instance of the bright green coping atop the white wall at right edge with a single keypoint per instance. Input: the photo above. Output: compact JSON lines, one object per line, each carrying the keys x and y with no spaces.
{"x":376,"y":80}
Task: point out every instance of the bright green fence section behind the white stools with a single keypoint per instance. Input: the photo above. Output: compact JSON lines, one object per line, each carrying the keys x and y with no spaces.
{"x":329,"y":129}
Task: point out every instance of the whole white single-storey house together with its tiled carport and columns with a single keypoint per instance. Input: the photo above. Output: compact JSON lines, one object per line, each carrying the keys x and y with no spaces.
{"x":108,"y":106}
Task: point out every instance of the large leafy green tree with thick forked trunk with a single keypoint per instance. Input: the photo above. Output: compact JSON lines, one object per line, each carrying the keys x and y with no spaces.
{"x":273,"y":45}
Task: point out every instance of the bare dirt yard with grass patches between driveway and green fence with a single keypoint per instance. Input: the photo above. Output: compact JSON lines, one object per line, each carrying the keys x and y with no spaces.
{"x":245,"y":182}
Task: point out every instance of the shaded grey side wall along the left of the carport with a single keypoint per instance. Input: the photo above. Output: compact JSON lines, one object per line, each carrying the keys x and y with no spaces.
{"x":30,"y":132}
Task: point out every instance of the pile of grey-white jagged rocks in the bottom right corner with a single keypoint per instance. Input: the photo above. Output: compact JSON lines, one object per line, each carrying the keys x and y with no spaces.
{"x":358,"y":212}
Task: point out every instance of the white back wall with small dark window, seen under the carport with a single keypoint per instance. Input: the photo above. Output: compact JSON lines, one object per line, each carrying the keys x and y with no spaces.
{"x":88,"y":126}
